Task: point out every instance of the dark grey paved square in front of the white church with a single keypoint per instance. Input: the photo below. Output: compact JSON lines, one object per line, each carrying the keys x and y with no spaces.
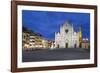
{"x":56,"y":54}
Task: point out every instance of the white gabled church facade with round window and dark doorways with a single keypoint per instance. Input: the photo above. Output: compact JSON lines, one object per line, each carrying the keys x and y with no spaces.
{"x":67,"y":37}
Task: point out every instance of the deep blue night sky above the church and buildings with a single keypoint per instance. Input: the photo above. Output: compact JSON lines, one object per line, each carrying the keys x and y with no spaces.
{"x":48,"y":22}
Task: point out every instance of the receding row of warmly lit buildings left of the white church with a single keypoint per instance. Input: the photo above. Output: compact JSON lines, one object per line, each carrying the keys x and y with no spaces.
{"x":33,"y":41}
